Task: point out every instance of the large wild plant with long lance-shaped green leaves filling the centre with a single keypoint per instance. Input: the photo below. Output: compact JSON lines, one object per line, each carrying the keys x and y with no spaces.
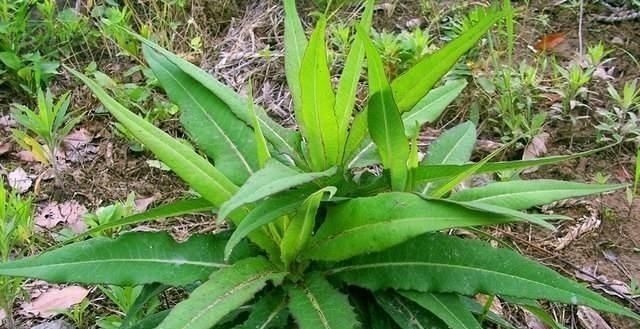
{"x":318,"y":241}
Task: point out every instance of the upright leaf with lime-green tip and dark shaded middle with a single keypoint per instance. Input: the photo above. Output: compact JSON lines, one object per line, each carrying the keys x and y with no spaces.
{"x":385,"y":124}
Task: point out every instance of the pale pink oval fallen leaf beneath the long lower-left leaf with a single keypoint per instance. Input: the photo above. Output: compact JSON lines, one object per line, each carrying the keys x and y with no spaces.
{"x":54,"y":301}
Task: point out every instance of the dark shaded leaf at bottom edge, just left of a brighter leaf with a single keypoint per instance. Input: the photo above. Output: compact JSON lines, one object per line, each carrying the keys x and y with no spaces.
{"x":406,"y":313}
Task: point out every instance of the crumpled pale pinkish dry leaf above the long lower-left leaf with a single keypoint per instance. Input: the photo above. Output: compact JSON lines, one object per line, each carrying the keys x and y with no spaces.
{"x":69,"y":213}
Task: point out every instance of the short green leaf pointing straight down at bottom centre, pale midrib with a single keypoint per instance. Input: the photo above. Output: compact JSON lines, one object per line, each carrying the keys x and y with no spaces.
{"x":315,"y":304}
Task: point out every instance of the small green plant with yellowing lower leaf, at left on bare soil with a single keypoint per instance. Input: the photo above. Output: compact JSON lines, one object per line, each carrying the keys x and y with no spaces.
{"x":50,"y":123}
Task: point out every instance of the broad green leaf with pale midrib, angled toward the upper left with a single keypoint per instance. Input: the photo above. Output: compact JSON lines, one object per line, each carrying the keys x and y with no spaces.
{"x":208,"y":120}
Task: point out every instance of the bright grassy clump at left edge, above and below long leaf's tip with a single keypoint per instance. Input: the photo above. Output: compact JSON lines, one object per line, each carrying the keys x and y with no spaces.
{"x":16,"y":229}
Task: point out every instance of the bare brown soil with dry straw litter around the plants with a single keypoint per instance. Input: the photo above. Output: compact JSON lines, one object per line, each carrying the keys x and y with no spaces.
{"x":610,"y":251}
